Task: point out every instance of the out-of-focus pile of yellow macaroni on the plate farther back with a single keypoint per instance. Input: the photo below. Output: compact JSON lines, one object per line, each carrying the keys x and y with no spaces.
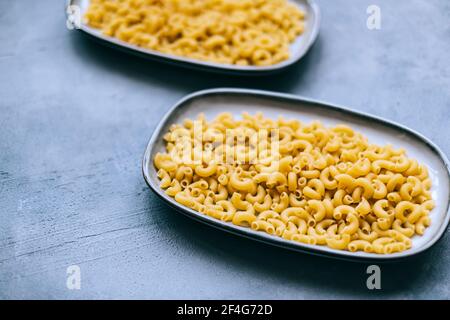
{"x":241,"y":32}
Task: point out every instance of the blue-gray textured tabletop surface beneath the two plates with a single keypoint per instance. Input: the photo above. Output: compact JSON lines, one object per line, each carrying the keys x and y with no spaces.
{"x":74,"y":121}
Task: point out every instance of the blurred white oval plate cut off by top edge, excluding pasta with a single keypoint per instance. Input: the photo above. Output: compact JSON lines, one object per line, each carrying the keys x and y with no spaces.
{"x":297,"y":49}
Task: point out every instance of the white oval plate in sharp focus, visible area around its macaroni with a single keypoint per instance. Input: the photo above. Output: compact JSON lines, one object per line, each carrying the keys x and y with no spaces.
{"x":379,"y":131}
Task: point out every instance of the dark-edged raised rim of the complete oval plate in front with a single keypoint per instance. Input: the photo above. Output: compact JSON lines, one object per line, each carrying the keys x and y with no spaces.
{"x":276,"y":241}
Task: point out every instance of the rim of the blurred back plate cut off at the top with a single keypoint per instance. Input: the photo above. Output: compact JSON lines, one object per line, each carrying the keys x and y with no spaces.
{"x":206,"y":65}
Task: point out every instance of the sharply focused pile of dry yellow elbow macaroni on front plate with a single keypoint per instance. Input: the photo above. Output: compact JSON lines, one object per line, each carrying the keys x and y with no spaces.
{"x":320,"y":186}
